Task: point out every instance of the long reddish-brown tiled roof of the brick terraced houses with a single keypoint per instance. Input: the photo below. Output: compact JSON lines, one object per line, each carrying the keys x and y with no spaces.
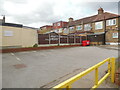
{"x":94,"y":18}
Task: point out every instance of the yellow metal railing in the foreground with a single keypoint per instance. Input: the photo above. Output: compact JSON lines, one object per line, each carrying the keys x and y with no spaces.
{"x":111,"y":72}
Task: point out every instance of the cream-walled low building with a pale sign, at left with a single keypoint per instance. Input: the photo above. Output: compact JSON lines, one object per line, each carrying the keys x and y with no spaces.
{"x":17,"y":35}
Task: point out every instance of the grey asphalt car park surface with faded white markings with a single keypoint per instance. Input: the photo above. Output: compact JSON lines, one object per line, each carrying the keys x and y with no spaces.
{"x":38,"y":68}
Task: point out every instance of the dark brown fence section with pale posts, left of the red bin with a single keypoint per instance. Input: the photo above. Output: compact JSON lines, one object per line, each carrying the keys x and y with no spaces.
{"x":54,"y":38}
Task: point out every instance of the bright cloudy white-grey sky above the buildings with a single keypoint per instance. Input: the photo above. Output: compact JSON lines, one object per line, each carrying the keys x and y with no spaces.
{"x":37,"y":13}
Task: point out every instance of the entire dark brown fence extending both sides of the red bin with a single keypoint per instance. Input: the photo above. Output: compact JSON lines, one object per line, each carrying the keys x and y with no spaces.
{"x":54,"y":38}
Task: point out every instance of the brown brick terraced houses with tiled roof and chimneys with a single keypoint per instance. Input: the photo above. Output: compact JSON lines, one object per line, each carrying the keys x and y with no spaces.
{"x":99,"y":29}
